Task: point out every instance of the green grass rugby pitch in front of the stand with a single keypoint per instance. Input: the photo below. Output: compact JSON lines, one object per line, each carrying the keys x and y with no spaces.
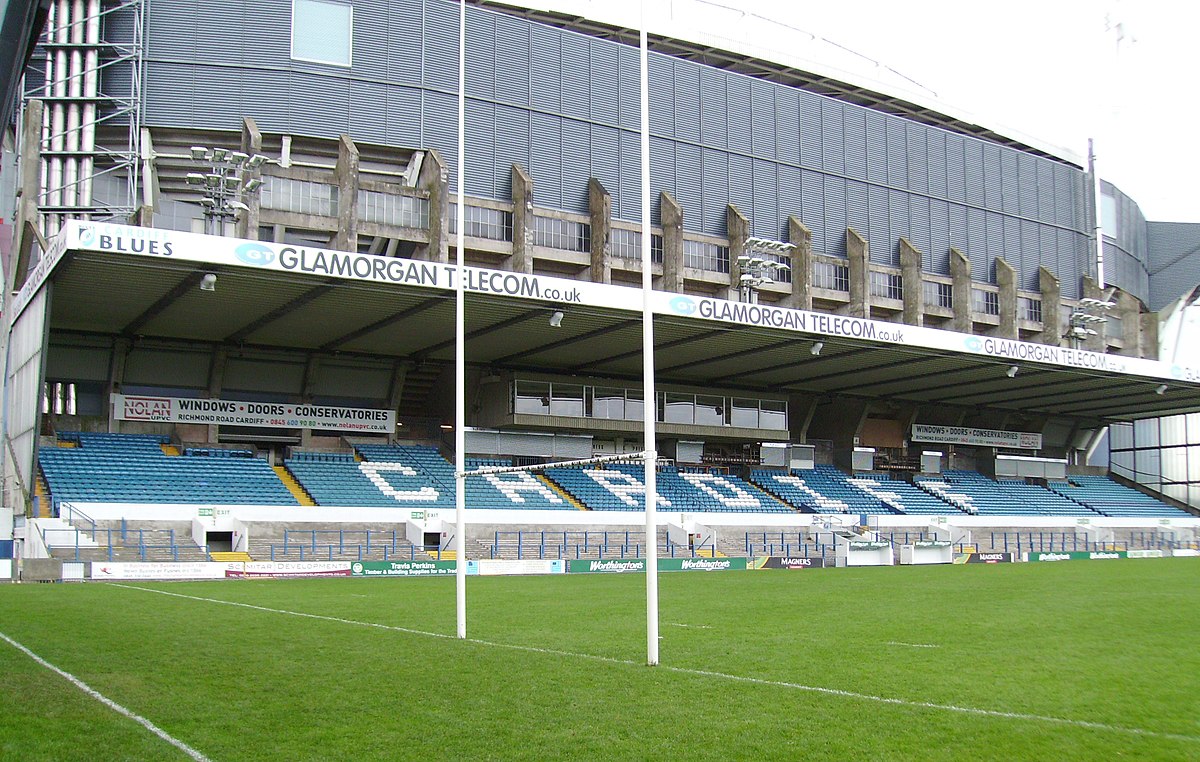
{"x":1082,"y":661}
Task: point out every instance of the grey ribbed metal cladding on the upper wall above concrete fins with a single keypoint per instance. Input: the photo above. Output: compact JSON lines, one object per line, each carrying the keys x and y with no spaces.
{"x":565,"y":106}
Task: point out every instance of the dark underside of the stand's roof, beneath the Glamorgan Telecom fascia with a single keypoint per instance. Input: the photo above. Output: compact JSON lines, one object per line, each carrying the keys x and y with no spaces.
{"x":160,"y":298}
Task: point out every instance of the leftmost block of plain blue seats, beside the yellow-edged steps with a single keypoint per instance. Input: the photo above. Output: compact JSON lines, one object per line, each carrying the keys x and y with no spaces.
{"x":134,"y":469}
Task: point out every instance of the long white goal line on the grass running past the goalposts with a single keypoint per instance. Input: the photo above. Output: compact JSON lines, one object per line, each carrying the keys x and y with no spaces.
{"x":724,"y":676}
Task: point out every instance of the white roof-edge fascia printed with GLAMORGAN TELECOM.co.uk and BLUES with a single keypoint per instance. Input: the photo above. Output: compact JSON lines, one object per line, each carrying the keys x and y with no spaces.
{"x":117,"y":239}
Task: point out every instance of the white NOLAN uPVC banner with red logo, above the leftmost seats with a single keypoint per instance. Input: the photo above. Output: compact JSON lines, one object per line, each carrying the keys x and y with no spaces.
{"x":241,"y":413}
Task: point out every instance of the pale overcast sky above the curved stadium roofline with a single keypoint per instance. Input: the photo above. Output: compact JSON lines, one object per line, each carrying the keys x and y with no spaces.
{"x":1052,"y":70}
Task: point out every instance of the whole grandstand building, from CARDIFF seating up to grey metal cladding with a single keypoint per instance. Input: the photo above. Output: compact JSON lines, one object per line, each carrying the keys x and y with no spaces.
{"x":232,"y":299}
